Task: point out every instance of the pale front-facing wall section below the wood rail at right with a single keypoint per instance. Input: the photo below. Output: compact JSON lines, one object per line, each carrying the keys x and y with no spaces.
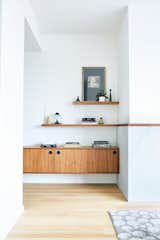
{"x":144,"y":164}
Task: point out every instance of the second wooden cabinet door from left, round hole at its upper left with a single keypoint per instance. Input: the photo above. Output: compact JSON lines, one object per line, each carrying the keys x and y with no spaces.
{"x":70,"y":161}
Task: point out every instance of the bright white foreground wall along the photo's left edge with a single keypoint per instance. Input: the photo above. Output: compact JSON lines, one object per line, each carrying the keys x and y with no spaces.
{"x":11,"y":103}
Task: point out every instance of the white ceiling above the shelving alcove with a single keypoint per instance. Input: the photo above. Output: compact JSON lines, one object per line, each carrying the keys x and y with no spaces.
{"x":78,"y":16}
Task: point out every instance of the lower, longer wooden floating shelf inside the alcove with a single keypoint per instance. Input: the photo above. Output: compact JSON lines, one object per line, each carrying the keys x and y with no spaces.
{"x":80,"y":125}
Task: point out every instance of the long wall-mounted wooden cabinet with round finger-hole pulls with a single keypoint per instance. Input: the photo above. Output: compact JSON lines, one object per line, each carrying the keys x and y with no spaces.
{"x":71,"y":160}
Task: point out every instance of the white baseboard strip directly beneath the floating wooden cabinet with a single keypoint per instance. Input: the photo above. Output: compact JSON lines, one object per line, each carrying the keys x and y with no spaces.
{"x":70,"y":178}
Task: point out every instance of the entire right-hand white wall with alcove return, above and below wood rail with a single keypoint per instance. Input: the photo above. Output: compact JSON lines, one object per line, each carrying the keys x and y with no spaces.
{"x":139,"y":146}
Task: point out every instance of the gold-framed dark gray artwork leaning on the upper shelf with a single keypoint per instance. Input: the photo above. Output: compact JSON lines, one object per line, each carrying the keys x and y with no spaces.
{"x":93,"y":82}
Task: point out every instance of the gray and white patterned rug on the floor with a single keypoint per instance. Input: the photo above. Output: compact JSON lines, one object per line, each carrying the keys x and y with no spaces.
{"x":136,"y":224}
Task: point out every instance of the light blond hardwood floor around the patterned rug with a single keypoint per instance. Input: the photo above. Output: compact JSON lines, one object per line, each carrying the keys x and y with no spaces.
{"x":70,"y":212}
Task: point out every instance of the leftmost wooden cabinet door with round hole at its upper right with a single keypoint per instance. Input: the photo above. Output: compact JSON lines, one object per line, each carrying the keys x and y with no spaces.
{"x":38,"y":161}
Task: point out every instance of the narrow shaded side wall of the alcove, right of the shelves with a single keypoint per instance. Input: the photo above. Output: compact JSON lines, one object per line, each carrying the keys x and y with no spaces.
{"x":123,"y":113}
